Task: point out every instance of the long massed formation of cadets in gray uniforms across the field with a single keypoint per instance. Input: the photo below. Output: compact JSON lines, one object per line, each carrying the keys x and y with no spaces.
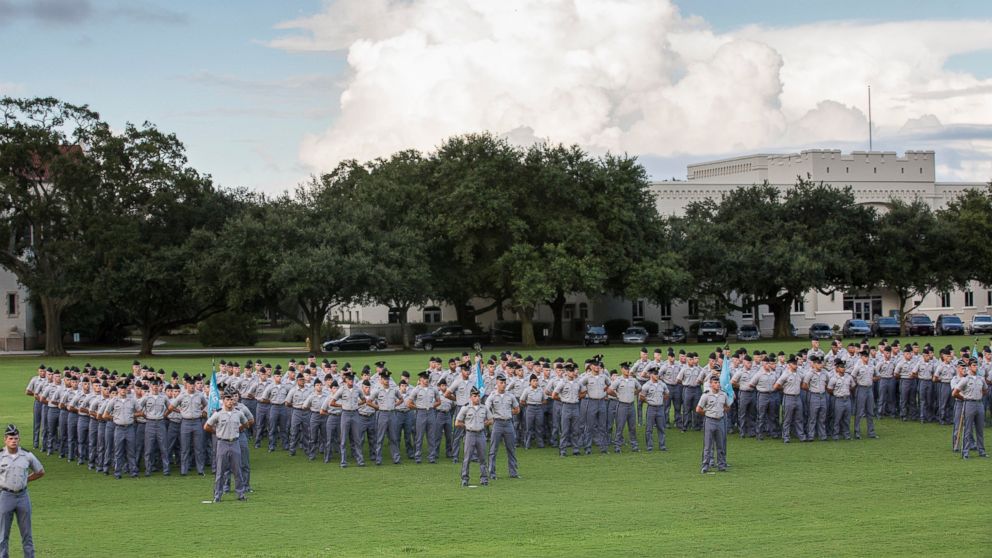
{"x":114,"y":423}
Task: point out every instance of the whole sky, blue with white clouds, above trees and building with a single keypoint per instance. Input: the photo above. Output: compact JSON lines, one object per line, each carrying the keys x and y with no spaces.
{"x":264,"y":94}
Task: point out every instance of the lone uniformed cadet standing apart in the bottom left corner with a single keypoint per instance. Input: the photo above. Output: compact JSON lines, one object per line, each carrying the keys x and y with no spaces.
{"x":18,"y":467}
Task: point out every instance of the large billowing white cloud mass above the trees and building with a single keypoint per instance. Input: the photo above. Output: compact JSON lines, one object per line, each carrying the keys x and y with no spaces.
{"x":628,"y":75}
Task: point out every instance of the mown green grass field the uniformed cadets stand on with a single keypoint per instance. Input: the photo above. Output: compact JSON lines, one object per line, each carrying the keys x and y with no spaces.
{"x":903,"y":494}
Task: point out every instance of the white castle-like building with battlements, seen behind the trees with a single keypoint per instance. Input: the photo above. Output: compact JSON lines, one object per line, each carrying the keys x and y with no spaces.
{"x":876,"y":177}
